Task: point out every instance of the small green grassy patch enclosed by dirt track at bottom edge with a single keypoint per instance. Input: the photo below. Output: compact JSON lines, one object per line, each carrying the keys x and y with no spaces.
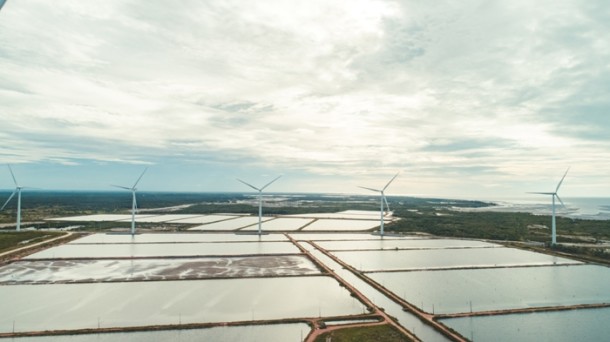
{"x":381,"y":333}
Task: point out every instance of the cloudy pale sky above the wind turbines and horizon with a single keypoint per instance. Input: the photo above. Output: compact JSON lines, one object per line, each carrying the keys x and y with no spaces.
{"x":466,"y":99}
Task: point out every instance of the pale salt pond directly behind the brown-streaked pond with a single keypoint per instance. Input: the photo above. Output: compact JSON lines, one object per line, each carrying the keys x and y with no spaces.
{"x":164,"y":249}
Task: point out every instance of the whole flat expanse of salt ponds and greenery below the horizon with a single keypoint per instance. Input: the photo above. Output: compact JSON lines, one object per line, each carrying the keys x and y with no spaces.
{"x":197,"y":263}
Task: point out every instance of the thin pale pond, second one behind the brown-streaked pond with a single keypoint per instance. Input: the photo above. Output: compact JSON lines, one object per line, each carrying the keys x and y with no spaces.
{"x":177,"y":238}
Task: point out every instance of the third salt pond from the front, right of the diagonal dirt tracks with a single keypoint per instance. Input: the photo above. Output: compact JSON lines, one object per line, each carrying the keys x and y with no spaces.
{"x":445,"y":258}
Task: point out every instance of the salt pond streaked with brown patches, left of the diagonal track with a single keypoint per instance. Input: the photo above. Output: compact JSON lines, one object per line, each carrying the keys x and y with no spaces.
{"x":49,"y":271}
